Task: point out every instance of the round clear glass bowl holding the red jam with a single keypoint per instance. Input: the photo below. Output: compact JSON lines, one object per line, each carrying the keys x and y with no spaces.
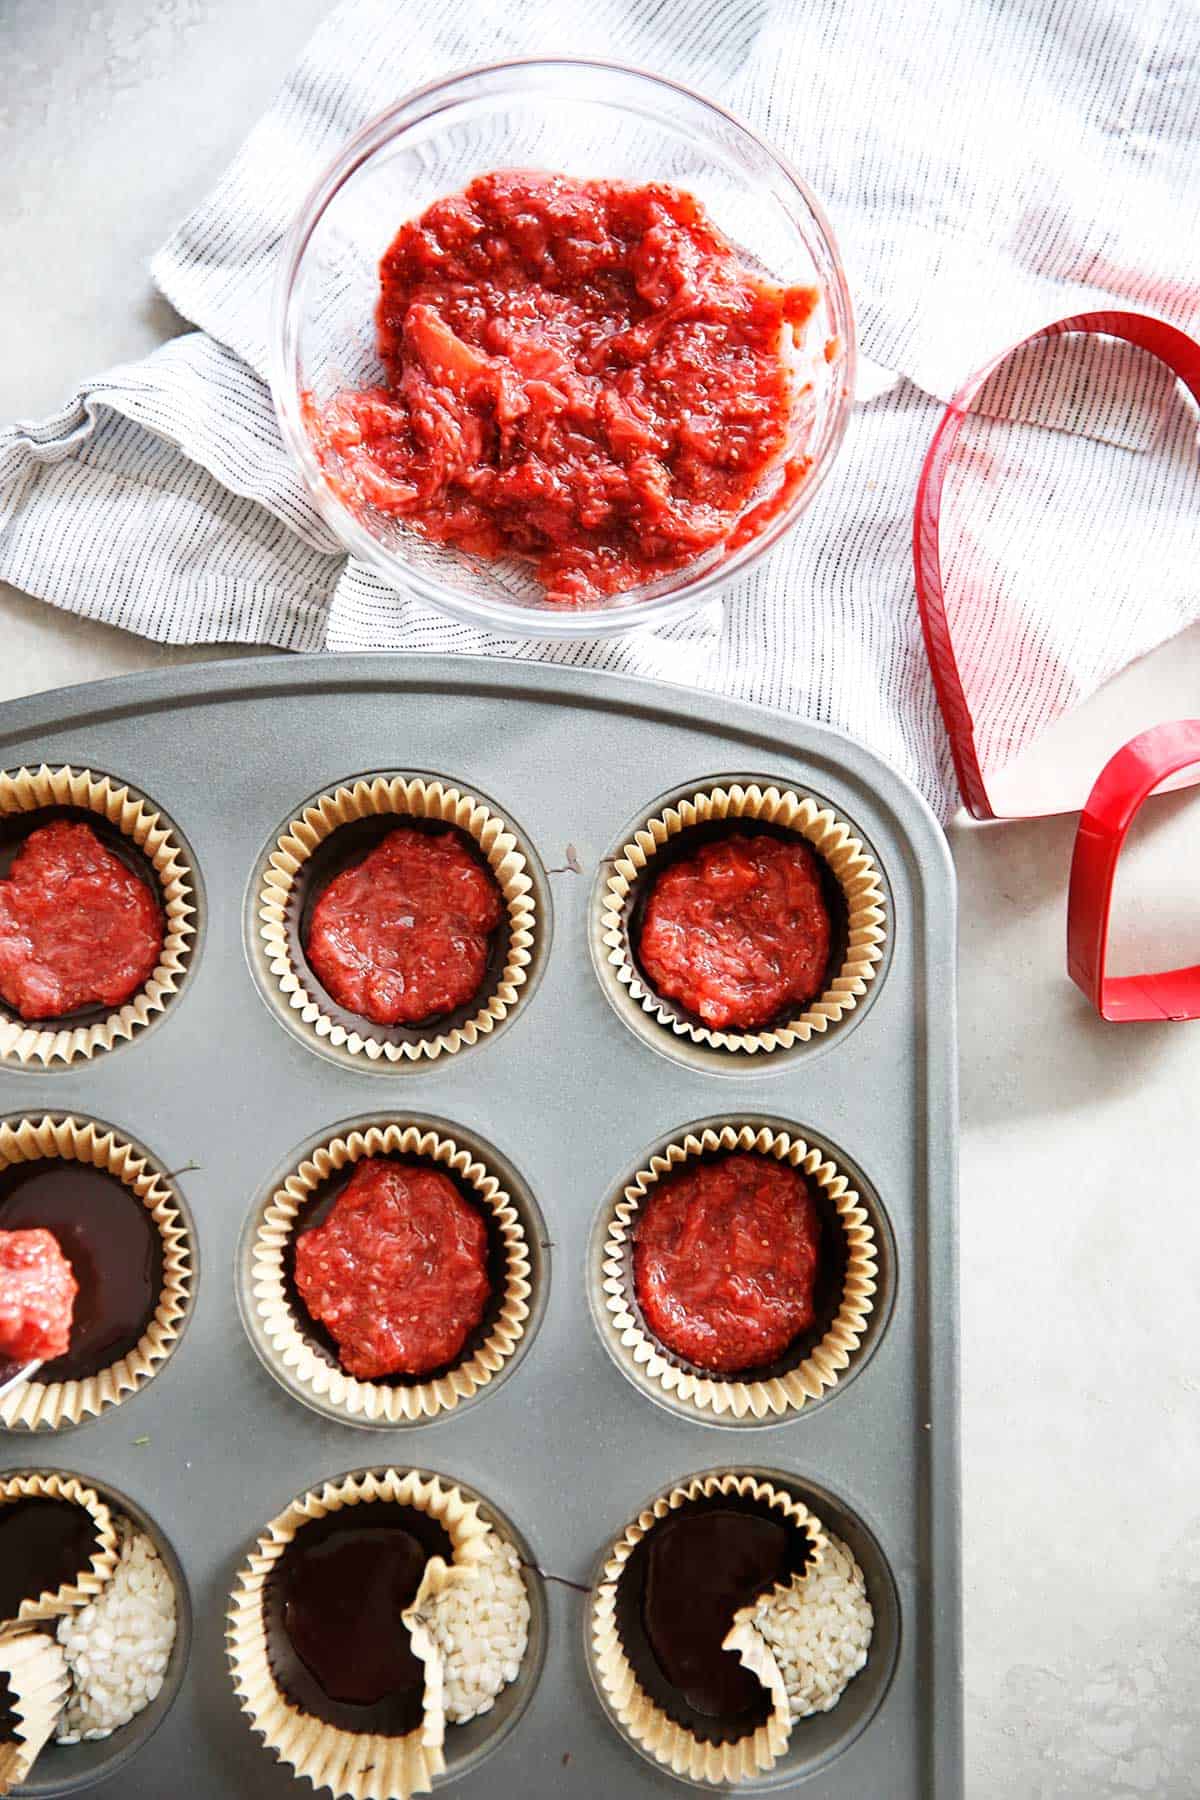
{"x":584,"y":120}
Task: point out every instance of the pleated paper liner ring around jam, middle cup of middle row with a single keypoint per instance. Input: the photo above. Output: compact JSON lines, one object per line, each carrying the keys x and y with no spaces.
{"x":372,"y":1401}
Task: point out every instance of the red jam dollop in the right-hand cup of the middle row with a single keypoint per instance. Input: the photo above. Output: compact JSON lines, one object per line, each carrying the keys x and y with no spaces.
{"x":726,"y":1261}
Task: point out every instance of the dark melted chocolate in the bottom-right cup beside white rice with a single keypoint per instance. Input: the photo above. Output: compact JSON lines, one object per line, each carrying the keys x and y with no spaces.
{"x":703,"y":1567}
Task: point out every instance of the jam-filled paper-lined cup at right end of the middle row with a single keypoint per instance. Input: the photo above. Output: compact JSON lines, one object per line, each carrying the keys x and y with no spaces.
{"x":814,"y":1273}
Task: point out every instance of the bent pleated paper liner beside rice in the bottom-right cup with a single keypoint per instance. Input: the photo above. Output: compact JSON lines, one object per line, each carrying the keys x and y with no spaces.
{"x":640,"y":1716}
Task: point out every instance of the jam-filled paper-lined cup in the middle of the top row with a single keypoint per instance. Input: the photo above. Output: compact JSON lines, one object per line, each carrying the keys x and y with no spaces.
{"x":399,"y":921}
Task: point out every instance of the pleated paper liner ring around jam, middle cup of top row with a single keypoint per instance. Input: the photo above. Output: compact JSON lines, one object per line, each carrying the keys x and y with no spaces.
{"x":407,"y":798}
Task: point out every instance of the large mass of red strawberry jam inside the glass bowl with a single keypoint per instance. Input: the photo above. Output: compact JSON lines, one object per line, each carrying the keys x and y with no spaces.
{"x":584,"y":375}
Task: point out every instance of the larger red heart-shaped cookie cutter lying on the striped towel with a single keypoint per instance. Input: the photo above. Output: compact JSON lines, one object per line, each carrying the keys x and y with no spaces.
{"x":1172,"y":348}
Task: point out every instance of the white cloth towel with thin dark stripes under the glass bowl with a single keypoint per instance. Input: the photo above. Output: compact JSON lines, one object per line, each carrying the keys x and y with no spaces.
{"x":989,"y":168}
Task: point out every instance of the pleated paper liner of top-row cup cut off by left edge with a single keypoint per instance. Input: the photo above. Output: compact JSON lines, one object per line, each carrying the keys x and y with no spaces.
{"x":30,"y":789}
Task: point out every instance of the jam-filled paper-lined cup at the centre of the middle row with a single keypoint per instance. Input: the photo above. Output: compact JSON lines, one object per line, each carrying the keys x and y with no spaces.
{"x":483,"y":1241}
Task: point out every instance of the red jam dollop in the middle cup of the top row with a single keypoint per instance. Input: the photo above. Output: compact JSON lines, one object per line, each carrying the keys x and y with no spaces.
{"x":406,"y":935}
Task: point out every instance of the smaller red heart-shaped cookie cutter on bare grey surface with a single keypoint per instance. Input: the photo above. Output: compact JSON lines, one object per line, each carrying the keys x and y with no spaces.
{"x":1125,"y":782}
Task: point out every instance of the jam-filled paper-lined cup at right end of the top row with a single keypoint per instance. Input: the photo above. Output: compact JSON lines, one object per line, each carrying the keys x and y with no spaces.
{"x":739,"y":922}
